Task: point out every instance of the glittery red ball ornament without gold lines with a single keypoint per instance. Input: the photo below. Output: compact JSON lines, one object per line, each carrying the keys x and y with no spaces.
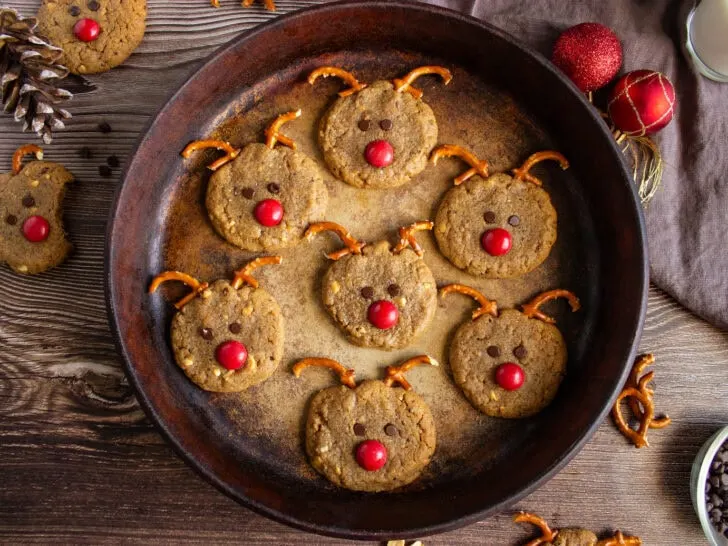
{"x":589,"y":54}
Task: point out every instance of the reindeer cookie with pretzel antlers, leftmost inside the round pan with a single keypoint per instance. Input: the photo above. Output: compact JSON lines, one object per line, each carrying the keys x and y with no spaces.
{"x":231,"y":336}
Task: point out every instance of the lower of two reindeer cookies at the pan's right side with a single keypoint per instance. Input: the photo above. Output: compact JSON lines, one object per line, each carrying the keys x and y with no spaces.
{"x":509,"y":364}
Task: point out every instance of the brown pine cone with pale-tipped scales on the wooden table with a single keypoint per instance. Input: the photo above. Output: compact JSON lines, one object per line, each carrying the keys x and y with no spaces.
{"x":30,"y":75}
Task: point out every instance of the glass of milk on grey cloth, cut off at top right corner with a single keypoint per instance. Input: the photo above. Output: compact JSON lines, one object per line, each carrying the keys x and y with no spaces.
{"x":707,"y":38}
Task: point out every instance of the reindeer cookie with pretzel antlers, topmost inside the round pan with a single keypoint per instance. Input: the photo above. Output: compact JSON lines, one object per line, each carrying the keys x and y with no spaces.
{"x":378,"y":135}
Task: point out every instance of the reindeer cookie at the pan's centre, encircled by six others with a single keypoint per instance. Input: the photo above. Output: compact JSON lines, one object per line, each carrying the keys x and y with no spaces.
{"x":380,"y":296}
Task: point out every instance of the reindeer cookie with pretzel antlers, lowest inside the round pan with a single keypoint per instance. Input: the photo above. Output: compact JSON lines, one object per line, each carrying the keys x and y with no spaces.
{"x":370,"y":437}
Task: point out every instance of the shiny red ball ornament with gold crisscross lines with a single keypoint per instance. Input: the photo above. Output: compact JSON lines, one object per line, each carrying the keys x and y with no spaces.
{"x":642,"y":102}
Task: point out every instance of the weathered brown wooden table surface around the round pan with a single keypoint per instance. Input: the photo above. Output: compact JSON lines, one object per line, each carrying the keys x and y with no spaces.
{"x":80,"y":462}
